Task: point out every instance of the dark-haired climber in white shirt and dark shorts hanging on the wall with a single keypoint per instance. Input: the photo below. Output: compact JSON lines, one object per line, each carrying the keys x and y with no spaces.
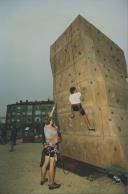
{"x":75,"y":101}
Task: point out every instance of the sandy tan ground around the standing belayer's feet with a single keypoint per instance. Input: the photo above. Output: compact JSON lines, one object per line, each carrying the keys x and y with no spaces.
{"x":20,"y":174}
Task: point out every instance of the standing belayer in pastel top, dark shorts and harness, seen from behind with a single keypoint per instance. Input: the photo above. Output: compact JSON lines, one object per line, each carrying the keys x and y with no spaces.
{"x":49,"y":152}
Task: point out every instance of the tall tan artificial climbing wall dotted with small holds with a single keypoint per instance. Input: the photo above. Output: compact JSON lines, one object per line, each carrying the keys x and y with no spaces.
{"x":85,"y":58}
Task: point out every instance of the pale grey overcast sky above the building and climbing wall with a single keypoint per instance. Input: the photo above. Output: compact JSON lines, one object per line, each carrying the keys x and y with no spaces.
{"x":29,"y":27}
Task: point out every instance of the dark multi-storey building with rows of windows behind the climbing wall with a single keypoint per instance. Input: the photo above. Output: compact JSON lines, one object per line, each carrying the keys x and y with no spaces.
{"x":27,"y":114}
